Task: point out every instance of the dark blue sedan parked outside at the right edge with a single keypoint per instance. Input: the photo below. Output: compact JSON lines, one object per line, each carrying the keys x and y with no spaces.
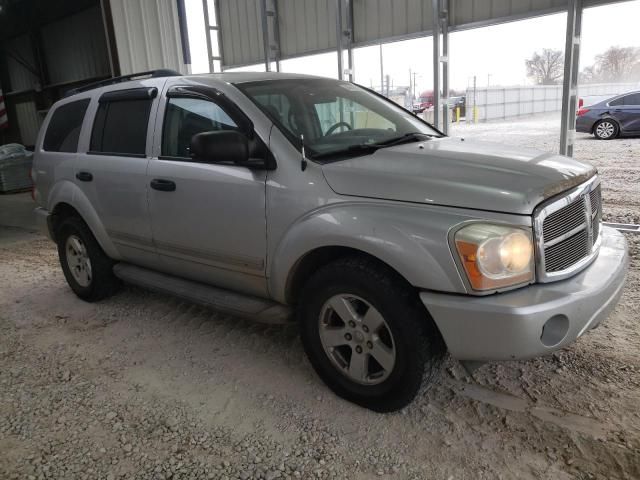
{"x":617,"y":116}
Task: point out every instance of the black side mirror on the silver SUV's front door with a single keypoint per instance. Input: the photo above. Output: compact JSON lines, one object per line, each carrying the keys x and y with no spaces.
{"x":220,"y":146}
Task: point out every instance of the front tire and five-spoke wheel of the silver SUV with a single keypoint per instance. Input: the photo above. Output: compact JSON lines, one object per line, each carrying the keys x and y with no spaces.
{"x":394,"y":355}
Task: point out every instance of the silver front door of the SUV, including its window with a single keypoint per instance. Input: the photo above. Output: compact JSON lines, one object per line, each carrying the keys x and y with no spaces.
{"x":208,"y":220}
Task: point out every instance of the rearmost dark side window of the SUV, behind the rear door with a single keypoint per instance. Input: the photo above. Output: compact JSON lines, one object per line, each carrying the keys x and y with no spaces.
{"x":64,"y":127}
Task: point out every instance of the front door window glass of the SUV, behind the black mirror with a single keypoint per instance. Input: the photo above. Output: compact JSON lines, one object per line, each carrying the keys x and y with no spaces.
{"x":186,"y":117}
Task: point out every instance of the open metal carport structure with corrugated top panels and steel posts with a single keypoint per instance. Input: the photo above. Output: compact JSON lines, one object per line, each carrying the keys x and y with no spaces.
{"x":254,"y":31}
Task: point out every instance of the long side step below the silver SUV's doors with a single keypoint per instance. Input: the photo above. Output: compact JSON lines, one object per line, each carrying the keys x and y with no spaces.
{"x":252,"y":308}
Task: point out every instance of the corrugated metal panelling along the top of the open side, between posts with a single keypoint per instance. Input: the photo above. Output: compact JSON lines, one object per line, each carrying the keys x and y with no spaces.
{"x":309,"y":26}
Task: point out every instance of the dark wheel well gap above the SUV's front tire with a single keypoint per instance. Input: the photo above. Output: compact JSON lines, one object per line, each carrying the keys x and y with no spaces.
{"x":312,"y":261}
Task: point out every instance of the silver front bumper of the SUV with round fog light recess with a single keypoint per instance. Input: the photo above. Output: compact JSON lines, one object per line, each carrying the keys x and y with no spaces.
{"x":534,"y":320}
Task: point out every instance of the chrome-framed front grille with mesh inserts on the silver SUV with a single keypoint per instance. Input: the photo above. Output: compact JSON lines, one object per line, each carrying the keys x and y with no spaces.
{"x":567,"y":230}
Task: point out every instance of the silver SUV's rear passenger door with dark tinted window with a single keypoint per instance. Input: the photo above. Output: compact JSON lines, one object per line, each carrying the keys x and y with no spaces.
{"x":112,"y":170}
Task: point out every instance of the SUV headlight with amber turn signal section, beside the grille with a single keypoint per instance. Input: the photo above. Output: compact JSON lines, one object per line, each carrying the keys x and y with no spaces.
{"x":495,"y":256}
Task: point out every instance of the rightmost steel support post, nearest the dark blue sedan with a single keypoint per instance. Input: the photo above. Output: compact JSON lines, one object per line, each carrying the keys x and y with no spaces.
{"x":570,"y":80}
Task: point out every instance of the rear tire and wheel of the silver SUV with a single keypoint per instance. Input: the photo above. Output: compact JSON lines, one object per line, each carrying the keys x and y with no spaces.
{"x":88,"y":270}
